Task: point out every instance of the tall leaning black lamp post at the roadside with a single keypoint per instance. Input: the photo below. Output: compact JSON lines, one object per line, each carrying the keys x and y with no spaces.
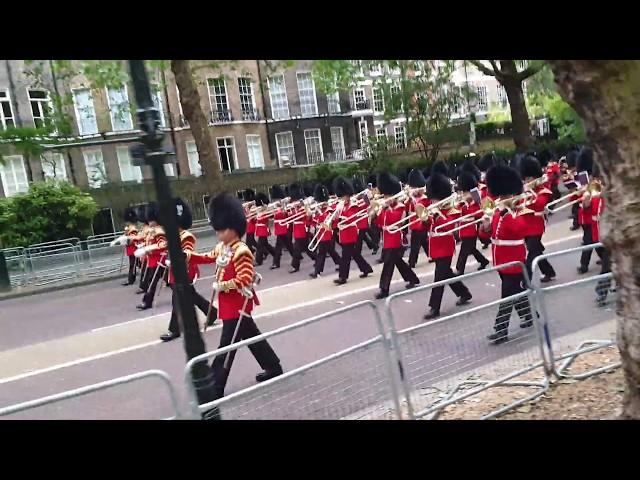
{"x":150,"y":152}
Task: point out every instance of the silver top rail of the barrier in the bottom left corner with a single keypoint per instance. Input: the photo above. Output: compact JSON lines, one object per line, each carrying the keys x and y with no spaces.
{"x":88,"y":389}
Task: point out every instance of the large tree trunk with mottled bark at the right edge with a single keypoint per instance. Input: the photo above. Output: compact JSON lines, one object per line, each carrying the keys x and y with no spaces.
{"x":606,"y":94}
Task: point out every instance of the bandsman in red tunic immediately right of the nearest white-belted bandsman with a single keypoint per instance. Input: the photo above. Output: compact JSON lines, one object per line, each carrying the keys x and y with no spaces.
{"x":530,"y":169}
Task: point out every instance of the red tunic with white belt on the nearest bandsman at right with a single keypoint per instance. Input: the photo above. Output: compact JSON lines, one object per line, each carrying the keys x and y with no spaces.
{"x":507,"y":237}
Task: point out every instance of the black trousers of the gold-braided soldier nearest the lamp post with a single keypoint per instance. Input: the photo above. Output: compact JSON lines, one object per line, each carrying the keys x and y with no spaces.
{"x":261,"y":351}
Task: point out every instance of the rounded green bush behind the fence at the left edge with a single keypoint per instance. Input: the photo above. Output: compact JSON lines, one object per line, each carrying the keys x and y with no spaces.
{"x":47,"y":212}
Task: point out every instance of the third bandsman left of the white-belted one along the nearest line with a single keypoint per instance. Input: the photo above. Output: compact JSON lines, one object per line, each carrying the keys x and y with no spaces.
{"x":348,"y":236}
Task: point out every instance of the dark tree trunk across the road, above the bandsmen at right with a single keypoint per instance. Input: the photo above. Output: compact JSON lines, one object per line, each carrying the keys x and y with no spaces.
{"x":520,"y":127}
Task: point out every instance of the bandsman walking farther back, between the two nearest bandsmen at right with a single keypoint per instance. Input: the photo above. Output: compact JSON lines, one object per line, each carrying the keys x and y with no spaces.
{"x":469,"y":234}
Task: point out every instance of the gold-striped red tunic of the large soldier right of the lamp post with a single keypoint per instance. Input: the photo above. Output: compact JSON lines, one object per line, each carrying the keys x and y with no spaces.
{"x":232,"y":278}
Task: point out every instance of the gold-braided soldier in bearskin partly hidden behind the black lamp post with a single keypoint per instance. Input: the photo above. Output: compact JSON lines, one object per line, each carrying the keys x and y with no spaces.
{"x":188,"y":246}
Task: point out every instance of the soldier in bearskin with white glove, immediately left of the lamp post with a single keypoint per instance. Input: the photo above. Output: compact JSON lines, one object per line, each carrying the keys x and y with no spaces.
{"x":154,"y":251}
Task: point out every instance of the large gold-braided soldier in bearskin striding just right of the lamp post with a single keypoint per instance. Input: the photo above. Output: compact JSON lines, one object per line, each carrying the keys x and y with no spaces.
{"x":234,"y":285}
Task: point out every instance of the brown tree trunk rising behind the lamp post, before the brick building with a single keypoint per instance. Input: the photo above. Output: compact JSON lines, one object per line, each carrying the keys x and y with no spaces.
{"x":198,"y":122}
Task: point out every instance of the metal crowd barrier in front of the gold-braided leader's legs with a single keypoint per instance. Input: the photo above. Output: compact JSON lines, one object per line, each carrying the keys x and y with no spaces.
{"x":360,"y":381}
